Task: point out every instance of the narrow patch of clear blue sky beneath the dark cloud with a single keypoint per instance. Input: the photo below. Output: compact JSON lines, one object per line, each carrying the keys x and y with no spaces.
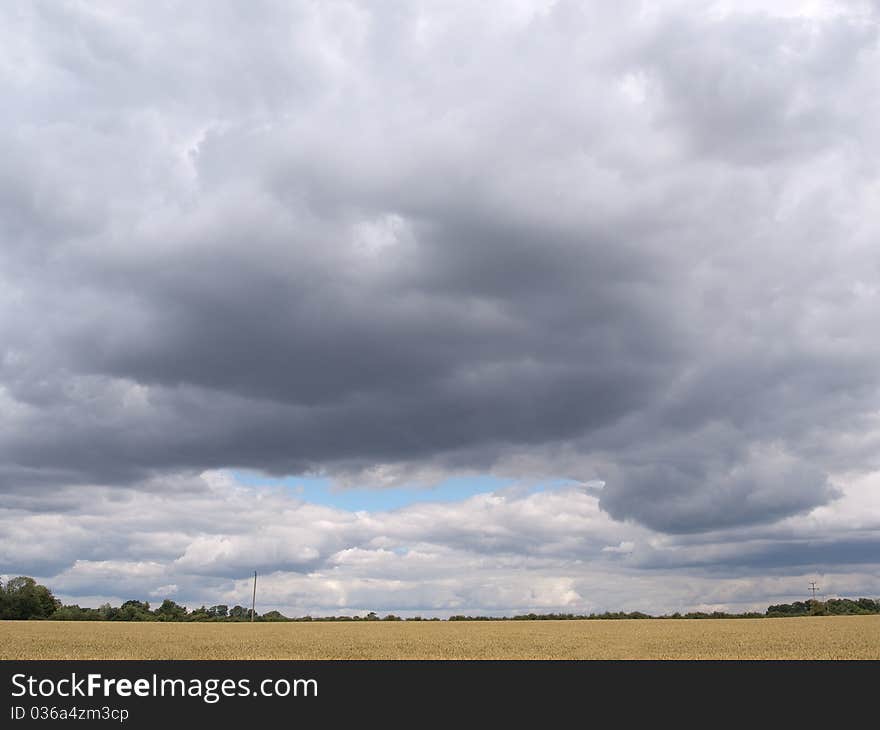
{"x":320,"y":490}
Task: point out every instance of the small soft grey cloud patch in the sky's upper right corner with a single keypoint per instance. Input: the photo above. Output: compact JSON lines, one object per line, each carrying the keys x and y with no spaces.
{"x":753,"y":89}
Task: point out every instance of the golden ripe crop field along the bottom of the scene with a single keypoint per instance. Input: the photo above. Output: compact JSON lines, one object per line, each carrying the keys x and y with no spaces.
{"x":842,"y":637}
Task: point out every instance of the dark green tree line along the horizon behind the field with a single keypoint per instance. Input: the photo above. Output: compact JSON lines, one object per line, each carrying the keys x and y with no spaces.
{"x":23,"y":598}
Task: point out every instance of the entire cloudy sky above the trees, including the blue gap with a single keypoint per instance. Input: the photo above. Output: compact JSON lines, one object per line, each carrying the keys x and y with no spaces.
{"x":441,"y":307}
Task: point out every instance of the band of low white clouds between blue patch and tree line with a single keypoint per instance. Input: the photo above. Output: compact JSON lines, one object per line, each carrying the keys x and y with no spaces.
{"x":553,"y":550}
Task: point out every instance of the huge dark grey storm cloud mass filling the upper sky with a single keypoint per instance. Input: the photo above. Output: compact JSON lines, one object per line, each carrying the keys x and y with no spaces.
{"x":333,"y":238}
